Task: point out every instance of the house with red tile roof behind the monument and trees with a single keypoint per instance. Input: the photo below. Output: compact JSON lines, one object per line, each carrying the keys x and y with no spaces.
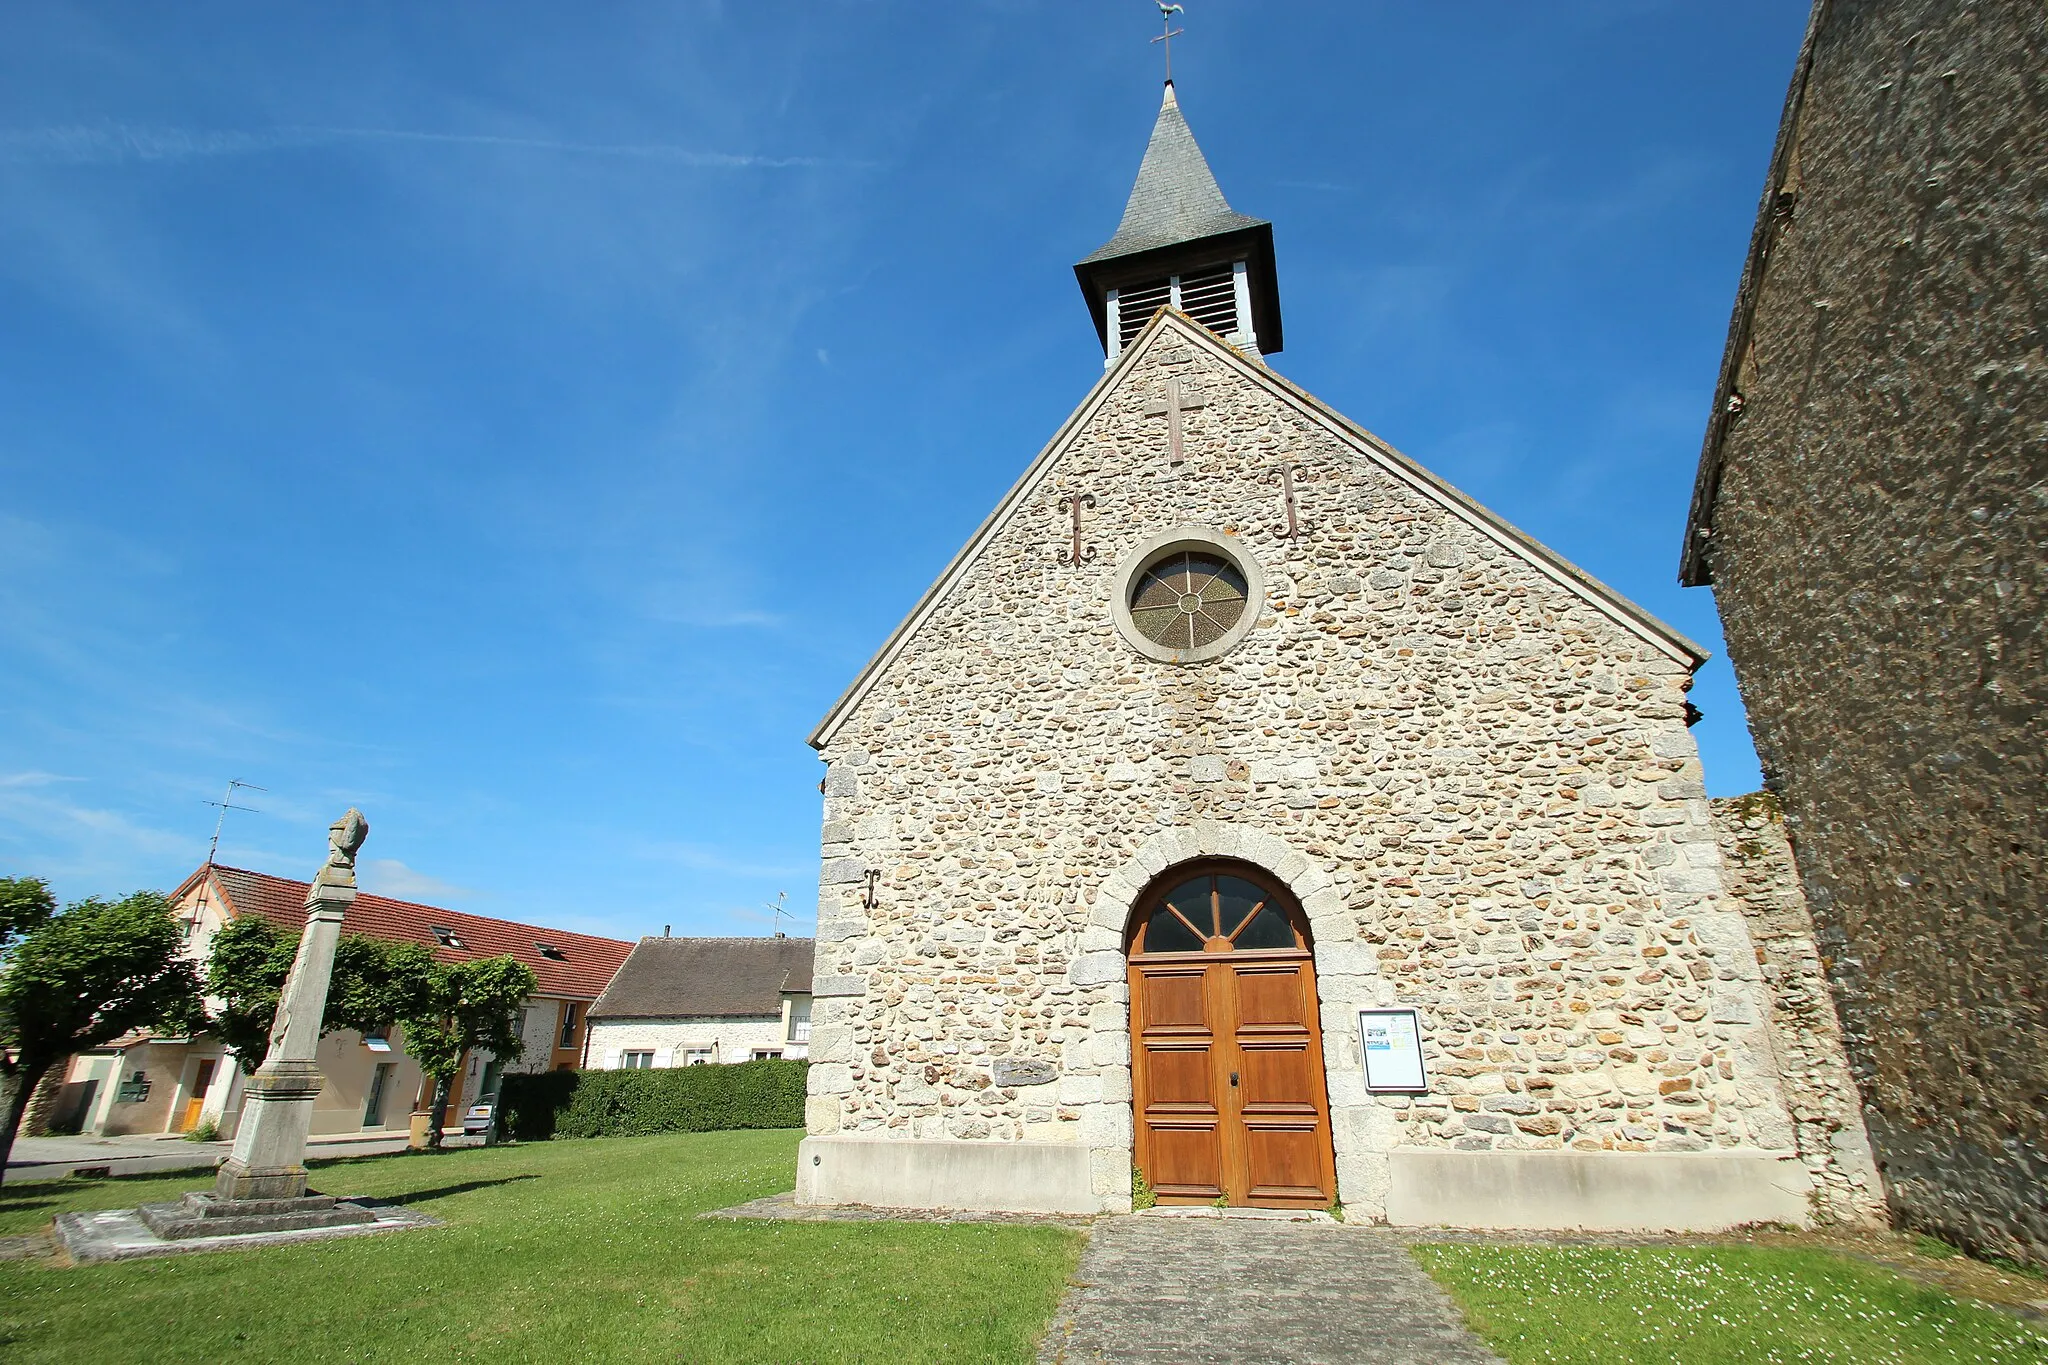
{"x":146,"y":1084}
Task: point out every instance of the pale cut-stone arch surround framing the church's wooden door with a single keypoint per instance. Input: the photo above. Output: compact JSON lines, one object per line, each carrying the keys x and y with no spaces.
{"x":1347,"y":973}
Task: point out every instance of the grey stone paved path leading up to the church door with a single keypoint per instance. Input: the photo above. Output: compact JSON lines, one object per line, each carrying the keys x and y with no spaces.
{"x":1254,"y":1292}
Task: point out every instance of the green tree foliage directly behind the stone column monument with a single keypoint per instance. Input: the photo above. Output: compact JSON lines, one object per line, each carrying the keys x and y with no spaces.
{"x":374,"y":983}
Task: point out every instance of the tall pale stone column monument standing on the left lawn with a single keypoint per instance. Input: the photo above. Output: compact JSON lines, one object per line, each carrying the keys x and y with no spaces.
{"x":269,"y":1159}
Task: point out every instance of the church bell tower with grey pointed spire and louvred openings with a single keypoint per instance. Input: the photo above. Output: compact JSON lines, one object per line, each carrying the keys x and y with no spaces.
{"x":1183,"y":247}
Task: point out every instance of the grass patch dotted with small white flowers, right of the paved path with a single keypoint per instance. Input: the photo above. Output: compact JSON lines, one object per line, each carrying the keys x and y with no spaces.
{"x":1715,"y":1305}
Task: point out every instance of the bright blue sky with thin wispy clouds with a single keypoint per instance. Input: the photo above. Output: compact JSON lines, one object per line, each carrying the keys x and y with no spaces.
{"x":523,"y":421}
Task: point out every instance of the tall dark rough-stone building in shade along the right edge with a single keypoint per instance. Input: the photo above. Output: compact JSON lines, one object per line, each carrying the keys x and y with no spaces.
{"x":1871,"y":511}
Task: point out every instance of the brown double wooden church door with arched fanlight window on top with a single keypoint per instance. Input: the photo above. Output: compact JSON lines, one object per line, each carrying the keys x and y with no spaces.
{"x":1226,"y":1045}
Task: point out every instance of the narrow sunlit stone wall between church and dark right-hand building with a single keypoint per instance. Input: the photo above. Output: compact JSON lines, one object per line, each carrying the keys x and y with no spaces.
{"x":1805,"y":1032}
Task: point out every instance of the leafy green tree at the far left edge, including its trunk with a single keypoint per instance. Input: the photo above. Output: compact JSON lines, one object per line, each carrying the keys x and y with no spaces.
{"x":79,"y":979}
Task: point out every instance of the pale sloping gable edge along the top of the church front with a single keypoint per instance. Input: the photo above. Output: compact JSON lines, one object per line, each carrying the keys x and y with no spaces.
{"x":1547,"y":562}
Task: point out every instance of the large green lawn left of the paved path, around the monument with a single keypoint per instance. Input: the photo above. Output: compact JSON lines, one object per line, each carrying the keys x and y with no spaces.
{"x":554,"y":1251}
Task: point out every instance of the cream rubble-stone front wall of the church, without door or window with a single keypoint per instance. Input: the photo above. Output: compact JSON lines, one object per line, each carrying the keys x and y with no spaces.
{"x":1465,"y":758}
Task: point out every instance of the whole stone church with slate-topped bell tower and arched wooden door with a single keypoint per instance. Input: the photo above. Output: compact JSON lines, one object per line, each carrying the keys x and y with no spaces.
{"x":1250,"y":818}
